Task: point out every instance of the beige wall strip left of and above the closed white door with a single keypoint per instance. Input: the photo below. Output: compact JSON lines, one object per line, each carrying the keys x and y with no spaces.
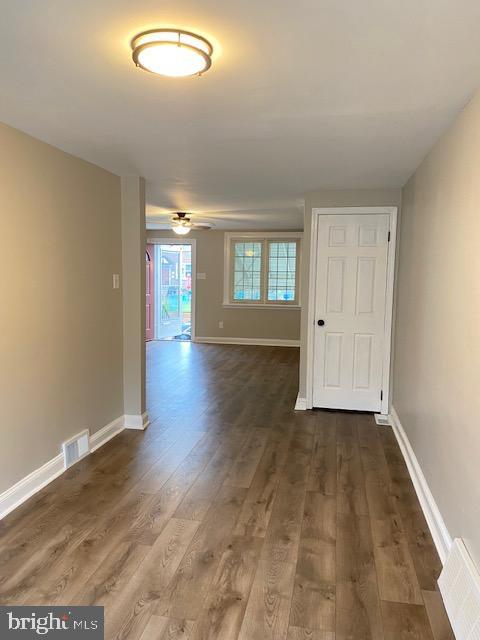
{"x":332,"y":198}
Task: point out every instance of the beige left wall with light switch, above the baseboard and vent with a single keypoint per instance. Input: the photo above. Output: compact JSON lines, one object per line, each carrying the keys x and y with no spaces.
{"x":61,"y":321}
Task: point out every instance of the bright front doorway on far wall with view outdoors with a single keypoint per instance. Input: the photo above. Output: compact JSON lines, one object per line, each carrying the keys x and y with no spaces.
{"x":169,"y":291}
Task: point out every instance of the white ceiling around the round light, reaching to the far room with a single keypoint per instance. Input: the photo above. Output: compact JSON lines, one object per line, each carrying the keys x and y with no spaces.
{"x":302,"y":95}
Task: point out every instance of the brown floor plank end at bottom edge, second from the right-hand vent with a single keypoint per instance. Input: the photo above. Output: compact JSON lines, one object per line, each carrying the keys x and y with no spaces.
{"x":405,"y":622}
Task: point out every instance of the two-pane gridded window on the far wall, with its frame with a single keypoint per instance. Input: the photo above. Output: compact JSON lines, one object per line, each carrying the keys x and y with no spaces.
{"x":262,"y":269}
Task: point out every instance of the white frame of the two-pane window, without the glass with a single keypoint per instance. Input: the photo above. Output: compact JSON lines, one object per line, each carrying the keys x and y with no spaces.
{"x":265,"y":238}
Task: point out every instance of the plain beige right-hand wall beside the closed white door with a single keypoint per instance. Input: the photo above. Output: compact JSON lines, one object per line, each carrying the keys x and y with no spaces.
{"x":437,"y":362}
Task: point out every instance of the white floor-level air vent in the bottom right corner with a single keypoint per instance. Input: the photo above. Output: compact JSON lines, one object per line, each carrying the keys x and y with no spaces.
{"x":459,"y":585}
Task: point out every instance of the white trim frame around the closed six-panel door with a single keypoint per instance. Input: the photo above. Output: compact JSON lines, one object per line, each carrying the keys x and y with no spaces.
{"x":323,"y":211}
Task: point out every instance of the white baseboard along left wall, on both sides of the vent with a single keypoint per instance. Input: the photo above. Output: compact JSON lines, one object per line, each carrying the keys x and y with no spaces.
{"x":16,"y":495}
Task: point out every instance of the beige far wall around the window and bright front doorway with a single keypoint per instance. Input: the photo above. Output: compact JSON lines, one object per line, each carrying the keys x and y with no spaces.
{"x":237,"y":323}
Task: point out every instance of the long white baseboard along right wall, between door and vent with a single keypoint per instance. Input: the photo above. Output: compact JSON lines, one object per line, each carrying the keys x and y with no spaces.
{"x":436,"y":524}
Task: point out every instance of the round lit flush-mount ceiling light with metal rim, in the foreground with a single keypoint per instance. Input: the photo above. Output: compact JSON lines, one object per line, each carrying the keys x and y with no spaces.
{"x":172,"y":52}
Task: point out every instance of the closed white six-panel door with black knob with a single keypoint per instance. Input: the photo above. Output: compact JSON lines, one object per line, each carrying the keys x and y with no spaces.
{"x":350,"y":310}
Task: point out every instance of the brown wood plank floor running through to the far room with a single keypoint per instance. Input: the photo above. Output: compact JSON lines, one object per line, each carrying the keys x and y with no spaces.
{"x":233,"y":516}
